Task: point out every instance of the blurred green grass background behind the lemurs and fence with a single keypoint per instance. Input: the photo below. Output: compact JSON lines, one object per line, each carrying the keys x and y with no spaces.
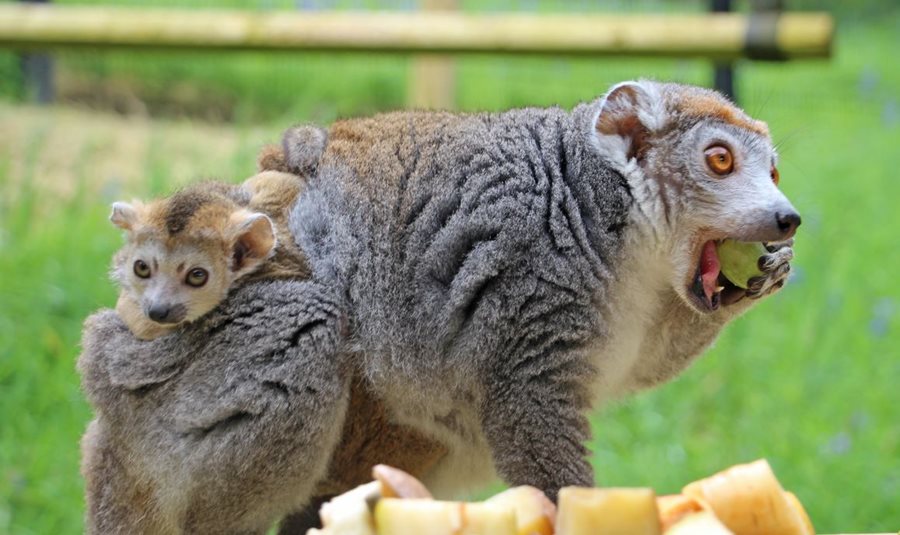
{"x":810,"y":379}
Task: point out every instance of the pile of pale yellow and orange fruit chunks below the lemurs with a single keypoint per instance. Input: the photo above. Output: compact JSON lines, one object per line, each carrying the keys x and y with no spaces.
{"x":743,"y":500}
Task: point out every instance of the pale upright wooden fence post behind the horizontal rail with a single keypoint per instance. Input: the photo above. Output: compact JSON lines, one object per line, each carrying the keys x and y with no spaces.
{"x":432,"y":78}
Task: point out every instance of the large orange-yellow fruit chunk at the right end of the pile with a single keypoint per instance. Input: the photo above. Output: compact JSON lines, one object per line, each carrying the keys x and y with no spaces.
{"x":748,"y":499}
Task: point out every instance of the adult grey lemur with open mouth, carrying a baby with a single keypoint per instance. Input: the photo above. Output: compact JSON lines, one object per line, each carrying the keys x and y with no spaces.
{"x":491,"y":277}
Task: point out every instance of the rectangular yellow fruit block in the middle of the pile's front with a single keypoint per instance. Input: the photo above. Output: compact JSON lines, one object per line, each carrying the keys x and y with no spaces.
{"x":612,"y":511}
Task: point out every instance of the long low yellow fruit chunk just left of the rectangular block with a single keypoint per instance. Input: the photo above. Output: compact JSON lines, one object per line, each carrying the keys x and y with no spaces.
{"x":395,"y":516}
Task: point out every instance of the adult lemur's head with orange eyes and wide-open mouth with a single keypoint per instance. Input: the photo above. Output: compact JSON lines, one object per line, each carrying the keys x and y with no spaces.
{"x":700,"y":170}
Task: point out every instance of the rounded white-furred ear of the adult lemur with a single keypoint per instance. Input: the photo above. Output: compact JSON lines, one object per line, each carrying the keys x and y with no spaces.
{"x":628,"y":112}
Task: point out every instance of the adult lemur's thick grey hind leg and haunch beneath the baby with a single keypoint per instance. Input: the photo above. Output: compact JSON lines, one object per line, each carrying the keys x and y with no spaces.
{"x":195,"y":433}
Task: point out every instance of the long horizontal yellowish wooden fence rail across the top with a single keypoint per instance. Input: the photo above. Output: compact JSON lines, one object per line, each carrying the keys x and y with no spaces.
{"x":720,"y":36}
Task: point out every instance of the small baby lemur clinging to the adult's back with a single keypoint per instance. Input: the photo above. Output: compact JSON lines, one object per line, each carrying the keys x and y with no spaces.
{"x":184,"y":253}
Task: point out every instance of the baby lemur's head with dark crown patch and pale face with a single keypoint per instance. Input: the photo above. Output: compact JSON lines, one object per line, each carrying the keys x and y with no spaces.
{"x":182,"y":254}
